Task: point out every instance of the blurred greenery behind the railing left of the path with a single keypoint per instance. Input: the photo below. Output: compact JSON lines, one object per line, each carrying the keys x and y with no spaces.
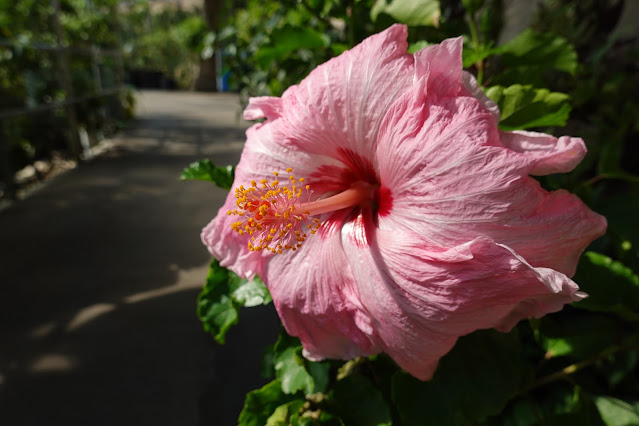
{"x":163,"y":46}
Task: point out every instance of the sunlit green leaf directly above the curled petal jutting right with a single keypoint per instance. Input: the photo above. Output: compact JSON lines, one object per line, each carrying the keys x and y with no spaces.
{"x":523,"y":107}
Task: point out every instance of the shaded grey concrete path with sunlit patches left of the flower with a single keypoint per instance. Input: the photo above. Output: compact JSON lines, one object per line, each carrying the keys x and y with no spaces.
{"x":99,"y":273}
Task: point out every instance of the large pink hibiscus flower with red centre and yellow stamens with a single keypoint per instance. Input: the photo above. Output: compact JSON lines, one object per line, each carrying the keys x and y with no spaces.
{"x":427,"y":224}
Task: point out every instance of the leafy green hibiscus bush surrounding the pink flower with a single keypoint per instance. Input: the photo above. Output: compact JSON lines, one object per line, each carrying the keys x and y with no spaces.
{"x":566,"y":74}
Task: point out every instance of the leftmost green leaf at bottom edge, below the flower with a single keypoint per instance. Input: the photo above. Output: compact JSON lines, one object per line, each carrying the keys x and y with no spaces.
{"x":261,"y":403}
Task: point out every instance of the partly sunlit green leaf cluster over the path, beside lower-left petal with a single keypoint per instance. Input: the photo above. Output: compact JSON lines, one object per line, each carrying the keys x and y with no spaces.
{"x":222,"y":296}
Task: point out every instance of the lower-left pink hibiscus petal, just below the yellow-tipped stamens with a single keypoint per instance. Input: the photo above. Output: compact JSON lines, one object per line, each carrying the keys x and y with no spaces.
{"x":316,"y":297}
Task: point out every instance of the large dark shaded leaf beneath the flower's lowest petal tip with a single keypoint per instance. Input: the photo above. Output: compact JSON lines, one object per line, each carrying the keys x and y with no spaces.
{"x":475,"y":380}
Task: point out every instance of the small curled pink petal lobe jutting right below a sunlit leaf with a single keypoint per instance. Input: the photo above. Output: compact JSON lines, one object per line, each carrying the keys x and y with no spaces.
{"x":551,"y":155}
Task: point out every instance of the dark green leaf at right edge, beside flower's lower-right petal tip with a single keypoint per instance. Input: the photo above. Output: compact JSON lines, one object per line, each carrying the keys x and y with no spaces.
{"x":611,"y":286}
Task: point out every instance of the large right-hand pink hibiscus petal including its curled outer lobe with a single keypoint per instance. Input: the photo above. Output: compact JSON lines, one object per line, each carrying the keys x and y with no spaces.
{"x":451,"y":180}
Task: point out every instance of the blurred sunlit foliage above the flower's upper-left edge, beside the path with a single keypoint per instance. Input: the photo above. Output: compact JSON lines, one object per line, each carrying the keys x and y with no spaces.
{"x":268,"y":46}
